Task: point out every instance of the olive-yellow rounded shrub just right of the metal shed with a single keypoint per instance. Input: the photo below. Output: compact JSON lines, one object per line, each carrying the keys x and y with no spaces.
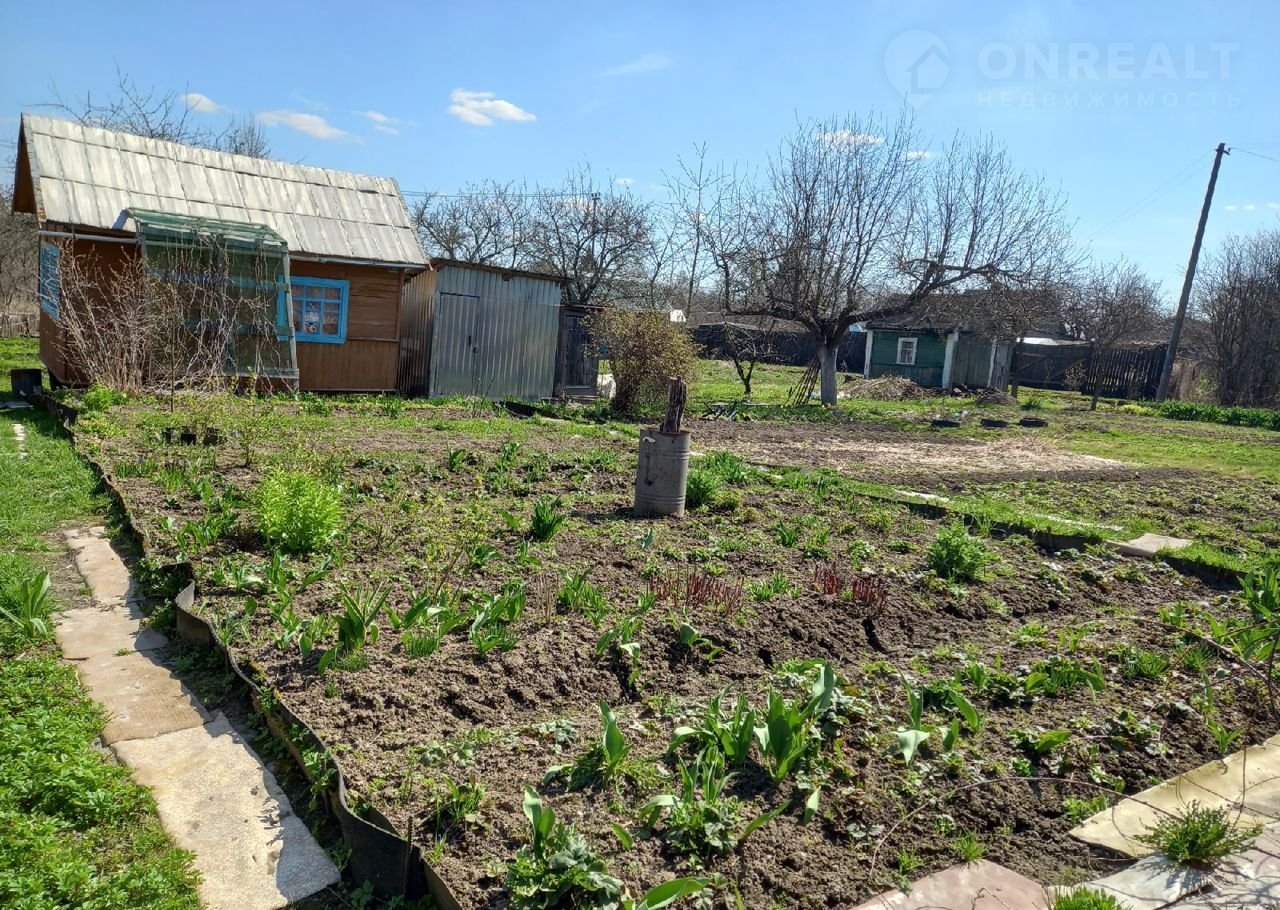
{"x":646,"y":350}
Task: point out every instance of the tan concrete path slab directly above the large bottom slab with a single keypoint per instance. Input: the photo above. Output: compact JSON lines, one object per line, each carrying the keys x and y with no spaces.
{"x":141,"y":698}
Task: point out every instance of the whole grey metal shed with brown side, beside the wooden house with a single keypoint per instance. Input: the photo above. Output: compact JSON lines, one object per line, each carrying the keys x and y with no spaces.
{"x":472,"y":330}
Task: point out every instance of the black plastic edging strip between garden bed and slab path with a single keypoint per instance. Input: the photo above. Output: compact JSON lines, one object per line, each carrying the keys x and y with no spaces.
{"x":378,"y":853}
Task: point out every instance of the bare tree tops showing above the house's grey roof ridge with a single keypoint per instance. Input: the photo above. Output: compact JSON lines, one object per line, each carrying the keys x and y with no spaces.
{"x":159,"y":116}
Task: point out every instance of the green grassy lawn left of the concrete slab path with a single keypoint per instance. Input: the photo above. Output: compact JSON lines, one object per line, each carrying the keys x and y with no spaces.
{"x":75,"y":830}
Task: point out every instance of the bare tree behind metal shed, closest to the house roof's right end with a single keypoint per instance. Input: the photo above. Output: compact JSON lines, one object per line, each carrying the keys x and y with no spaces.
{"x":486,"y":223}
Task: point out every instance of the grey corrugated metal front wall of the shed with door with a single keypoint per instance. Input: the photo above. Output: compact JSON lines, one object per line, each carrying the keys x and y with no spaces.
{"x":493,"y":336}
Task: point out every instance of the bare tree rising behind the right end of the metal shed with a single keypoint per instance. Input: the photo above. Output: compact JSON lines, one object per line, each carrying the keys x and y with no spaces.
{"x":591,"y":236}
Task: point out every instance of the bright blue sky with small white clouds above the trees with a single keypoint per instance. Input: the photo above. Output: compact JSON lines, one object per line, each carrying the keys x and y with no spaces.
{"x":1118,"y":103}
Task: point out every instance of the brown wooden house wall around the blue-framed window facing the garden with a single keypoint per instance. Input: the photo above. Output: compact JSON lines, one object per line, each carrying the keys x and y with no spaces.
{"x":367,"y":362}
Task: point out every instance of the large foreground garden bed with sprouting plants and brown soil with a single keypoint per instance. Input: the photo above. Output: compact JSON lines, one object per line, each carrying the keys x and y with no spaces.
{"x":437,"y":505}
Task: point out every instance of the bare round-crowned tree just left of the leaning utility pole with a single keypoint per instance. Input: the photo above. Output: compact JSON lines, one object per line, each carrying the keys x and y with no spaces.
{"x":1112,"y":305}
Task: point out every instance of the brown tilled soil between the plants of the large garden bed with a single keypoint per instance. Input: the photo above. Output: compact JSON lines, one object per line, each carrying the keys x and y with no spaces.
{"x":404,"y":728}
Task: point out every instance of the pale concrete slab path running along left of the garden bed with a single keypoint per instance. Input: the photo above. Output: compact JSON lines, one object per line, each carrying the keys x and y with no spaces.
{"x":213,"y":793}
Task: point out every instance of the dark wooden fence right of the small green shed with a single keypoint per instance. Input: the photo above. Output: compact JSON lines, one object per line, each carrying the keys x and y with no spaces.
{"x":1123,"y":373}
